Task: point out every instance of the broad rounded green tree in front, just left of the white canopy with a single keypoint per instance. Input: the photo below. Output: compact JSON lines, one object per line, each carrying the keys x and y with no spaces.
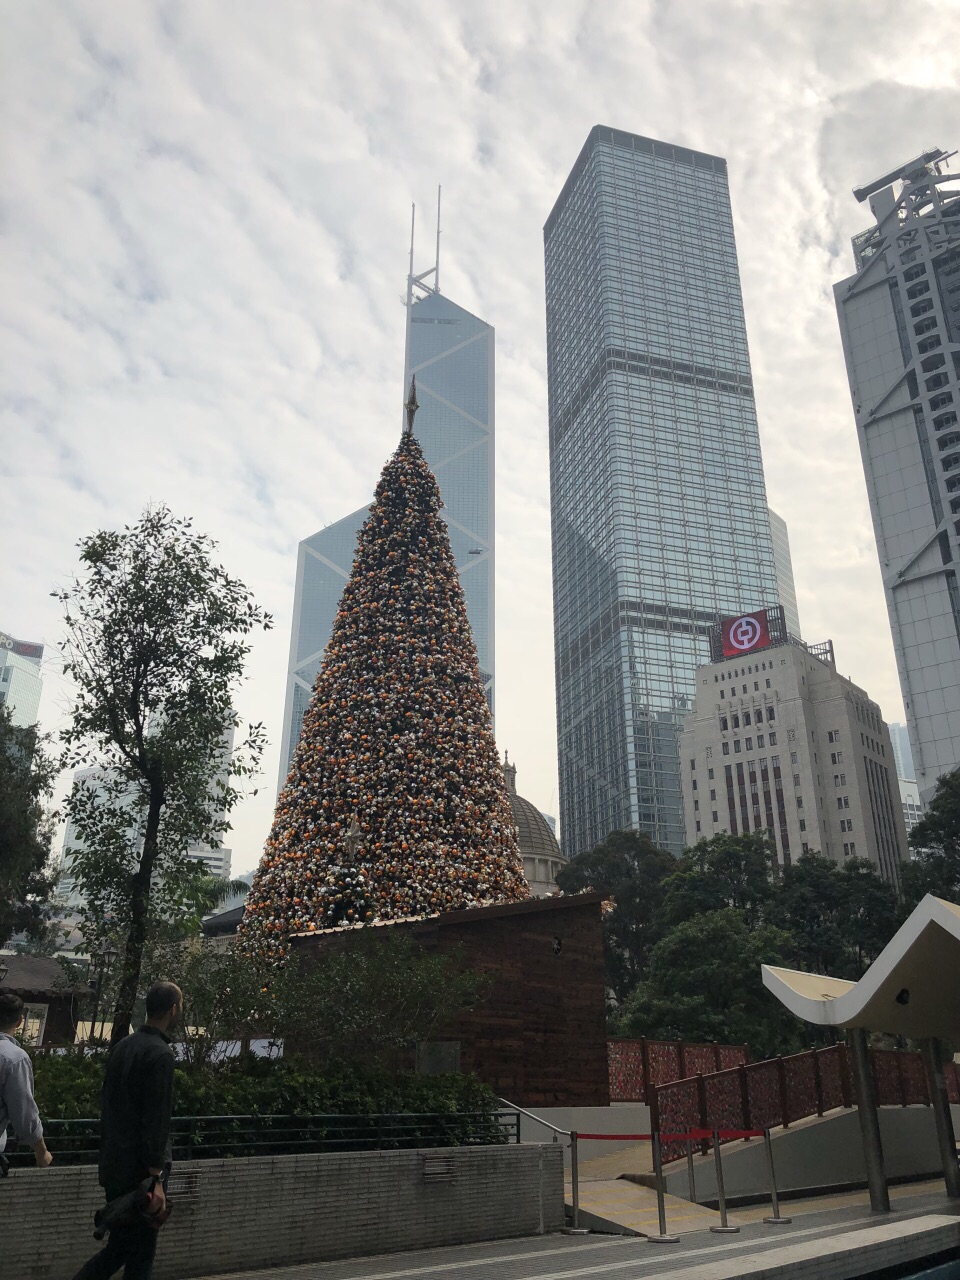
{"x":705,"y":984}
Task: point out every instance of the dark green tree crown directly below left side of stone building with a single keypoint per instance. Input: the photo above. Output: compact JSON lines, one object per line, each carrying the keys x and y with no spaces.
{"x":723,"y":872}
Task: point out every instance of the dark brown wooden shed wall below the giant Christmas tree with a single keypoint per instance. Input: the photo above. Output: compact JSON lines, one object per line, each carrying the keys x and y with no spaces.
{"x":541,"y":1037}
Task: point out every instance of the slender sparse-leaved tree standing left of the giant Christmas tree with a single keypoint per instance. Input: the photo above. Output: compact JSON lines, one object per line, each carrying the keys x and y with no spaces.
{"x":157,"y":639}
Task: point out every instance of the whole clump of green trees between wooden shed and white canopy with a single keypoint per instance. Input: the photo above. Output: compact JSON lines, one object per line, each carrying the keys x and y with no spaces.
{"x":687,"y":938}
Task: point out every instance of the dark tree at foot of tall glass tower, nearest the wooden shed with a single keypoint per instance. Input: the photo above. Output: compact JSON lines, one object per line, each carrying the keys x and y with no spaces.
{"x":629,"y":870}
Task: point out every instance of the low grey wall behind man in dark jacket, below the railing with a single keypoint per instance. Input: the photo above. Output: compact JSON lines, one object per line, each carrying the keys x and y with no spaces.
{"x":235,"y":1215}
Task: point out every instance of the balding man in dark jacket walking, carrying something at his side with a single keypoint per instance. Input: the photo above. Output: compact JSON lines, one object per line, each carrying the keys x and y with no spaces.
{"x":135,"y":1132}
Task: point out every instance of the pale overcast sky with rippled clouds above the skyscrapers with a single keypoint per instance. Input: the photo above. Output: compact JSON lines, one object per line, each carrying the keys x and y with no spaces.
{"x":207,"y":217}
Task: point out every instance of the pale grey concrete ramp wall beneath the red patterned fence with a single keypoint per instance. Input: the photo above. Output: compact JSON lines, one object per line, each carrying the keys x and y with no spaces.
{"x":820,"y":1154}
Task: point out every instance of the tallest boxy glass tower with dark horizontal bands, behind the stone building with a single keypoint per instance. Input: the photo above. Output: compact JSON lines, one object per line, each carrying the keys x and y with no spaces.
{"x":659,"y":500}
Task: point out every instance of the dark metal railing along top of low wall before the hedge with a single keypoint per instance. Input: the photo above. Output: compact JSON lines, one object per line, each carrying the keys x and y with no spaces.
{"x":77,"y":1142}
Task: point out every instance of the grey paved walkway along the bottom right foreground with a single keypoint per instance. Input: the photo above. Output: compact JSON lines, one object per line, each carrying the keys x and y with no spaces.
{"x":834,"y":1245}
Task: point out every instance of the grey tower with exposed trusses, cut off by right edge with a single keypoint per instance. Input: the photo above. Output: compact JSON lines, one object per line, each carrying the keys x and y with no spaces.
{"x":900,"y":327}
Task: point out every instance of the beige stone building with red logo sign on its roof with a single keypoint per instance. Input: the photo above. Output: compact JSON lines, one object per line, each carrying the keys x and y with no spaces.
{"x":779,"y":742}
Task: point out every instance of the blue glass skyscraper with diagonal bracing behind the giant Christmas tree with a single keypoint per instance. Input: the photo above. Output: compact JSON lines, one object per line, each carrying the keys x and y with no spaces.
{"x":452,"y":355}
